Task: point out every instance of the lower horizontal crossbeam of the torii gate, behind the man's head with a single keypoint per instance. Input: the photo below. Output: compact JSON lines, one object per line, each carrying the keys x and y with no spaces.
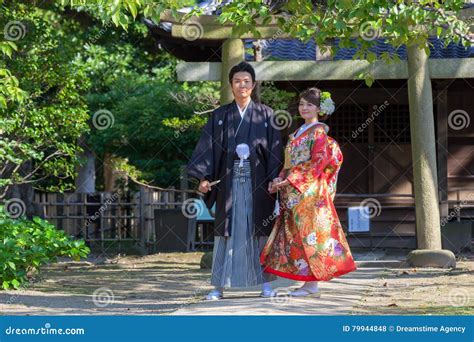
{"x":446,"y":68}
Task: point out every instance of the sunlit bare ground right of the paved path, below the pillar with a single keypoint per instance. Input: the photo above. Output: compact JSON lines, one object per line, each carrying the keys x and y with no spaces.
{"x":422,"y":291}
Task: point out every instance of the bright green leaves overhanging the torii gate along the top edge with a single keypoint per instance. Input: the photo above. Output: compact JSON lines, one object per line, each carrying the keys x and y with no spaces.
{"x":399,"y":22}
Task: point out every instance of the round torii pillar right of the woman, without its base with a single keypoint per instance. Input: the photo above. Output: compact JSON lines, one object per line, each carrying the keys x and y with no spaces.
{"x":423,"y":146}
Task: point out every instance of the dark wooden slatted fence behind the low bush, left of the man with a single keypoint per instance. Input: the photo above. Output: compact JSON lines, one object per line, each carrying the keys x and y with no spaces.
{"x":103,"y":218}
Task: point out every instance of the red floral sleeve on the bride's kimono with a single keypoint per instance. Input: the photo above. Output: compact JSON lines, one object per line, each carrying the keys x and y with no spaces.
{"x":304,"y":174}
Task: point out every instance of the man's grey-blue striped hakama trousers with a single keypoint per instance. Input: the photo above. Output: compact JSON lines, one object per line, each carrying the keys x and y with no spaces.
{"x":236,"y":258}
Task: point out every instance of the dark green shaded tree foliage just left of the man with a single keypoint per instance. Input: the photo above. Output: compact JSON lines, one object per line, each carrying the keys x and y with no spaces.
{"x":155,"y":126}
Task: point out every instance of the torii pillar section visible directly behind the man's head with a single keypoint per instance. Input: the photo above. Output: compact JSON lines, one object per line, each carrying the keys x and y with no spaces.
{"x":233,"y":52}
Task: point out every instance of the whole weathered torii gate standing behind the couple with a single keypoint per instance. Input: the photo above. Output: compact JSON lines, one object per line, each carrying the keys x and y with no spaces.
{"x":418,"y":70}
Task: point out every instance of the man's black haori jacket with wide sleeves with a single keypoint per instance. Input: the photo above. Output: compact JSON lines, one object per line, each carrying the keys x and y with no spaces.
{"x":213,"y":159}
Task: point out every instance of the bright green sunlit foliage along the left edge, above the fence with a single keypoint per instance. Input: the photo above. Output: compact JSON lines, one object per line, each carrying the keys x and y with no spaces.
{"x":42,"y":123}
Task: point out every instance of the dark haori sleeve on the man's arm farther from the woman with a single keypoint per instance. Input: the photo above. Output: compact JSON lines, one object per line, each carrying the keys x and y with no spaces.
{"x":201,"y":165}
